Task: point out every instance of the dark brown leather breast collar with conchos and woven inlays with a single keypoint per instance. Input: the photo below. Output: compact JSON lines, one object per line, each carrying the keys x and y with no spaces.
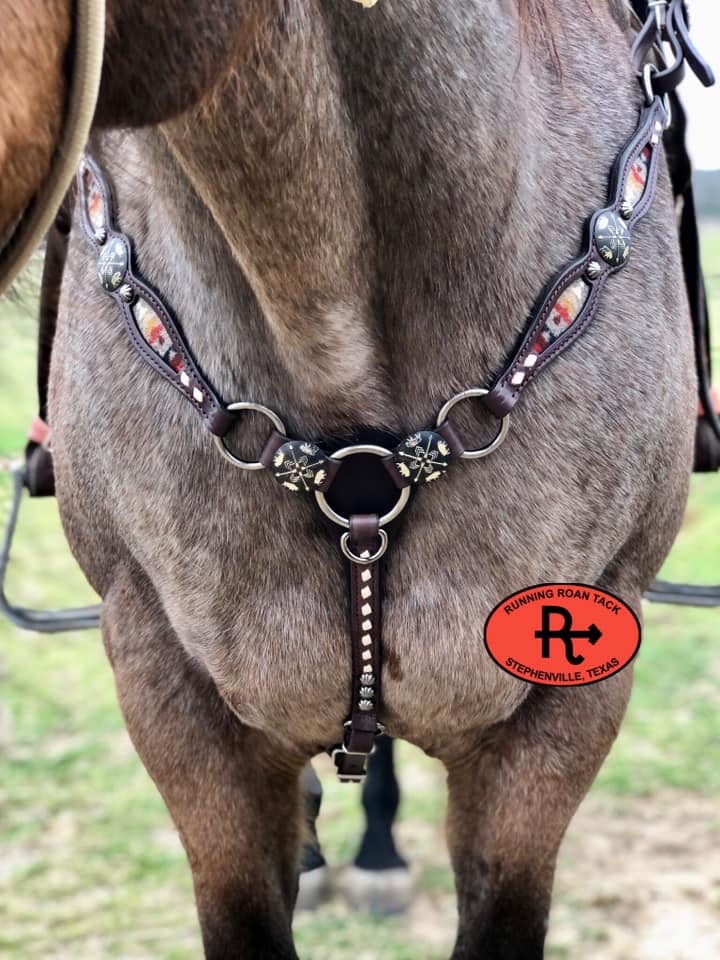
{"x":568,"y":305}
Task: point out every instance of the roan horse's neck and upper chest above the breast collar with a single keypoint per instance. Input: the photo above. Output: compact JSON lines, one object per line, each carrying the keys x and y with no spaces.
{"x":369,"y":194}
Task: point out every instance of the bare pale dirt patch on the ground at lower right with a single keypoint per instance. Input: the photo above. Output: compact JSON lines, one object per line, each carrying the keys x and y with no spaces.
{"x":636,"y":880}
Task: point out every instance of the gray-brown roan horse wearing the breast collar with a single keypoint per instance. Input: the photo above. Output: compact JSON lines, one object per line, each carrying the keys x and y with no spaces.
{"x":352,"y":211}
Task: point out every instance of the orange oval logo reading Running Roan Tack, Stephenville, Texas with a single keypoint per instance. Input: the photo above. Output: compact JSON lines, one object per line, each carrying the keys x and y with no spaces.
{"x":562,"y":634}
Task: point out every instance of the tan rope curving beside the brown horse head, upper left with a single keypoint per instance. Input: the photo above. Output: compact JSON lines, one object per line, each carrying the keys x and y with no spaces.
{"x":84,"y":87}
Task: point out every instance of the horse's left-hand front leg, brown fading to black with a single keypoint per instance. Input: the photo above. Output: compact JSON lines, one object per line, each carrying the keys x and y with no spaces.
{"x":234,"y":796}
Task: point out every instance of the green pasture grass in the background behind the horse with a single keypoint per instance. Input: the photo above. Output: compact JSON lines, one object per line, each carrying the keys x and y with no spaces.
{"x":89,"y":864}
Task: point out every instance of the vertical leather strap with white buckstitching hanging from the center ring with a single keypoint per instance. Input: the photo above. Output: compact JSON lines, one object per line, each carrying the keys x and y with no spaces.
{"x":365,"y":633}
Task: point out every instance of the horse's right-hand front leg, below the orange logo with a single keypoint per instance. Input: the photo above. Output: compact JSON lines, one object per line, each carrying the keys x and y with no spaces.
{"x":512,"y":794}
